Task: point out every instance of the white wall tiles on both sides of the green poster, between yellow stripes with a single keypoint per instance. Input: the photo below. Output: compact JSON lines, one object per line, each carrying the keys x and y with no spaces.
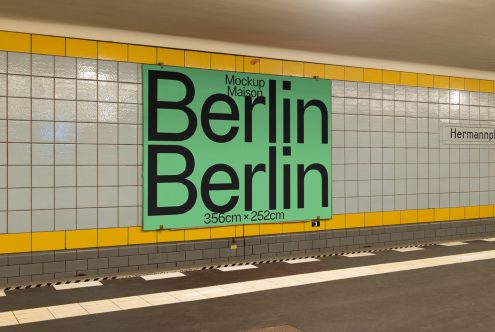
{"x":70,"y":145}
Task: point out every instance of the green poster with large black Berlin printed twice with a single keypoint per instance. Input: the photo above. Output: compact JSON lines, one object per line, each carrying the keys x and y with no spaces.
{"x":225,"y":148}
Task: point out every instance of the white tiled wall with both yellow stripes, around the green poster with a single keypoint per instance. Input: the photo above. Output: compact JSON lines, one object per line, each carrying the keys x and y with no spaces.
{"x":71,"y":145}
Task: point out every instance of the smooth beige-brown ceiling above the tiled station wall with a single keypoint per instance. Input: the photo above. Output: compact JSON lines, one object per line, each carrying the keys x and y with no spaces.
{"x":458,"y":33}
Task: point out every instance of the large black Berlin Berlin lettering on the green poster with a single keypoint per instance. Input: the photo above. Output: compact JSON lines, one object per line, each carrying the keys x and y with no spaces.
{"x":207,"y":117}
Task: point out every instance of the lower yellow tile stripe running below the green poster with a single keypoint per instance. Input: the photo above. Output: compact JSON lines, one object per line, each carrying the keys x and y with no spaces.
{"x":91,"y":238}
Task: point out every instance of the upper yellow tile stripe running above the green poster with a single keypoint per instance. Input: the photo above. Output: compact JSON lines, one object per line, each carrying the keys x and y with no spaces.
{"x":94,"y":49}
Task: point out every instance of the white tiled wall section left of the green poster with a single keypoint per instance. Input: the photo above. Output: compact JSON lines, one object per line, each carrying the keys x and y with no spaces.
{"x":68,"y":143}
